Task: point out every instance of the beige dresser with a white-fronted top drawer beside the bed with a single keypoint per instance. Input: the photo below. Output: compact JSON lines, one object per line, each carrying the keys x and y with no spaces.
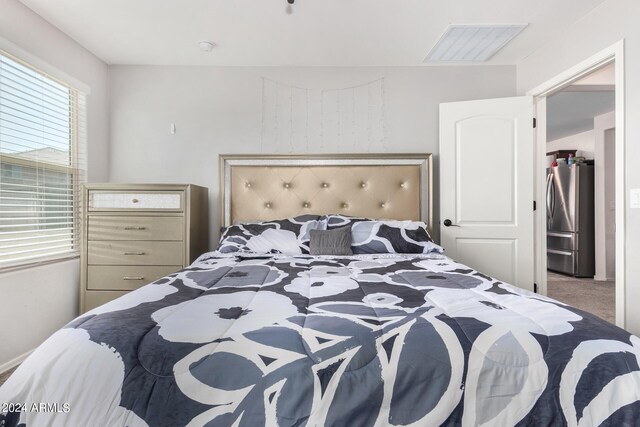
{"x":134,"y":234}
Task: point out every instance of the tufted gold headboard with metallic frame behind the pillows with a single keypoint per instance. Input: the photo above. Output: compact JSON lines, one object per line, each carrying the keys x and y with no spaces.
{"x":372,"y":165}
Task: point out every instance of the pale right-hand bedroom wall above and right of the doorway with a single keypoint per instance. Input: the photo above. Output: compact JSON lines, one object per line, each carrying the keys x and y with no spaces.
{"x":607,"y":23}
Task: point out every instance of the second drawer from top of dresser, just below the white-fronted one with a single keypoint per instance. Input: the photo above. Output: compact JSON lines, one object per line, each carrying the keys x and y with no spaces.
{"x":136,"y":227}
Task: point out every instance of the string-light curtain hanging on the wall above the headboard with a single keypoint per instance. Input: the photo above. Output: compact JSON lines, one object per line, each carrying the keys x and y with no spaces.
{"x":349,"y":119}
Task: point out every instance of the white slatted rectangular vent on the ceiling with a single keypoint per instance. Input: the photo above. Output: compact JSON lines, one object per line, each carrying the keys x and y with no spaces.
{"x":472,"y":43}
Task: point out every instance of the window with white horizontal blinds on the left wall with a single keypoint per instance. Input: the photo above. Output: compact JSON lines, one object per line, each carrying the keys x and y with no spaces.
{"x":42,"y":163}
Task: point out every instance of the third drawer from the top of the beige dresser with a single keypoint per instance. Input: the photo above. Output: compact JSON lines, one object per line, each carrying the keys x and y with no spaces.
{"x":134,"y":252}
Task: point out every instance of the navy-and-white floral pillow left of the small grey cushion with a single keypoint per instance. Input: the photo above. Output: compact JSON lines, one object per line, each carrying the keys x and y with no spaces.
{"x":286,"y":236}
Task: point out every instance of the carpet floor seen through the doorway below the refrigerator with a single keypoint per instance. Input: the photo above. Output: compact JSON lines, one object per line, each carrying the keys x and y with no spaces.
{"x":596,"y":297}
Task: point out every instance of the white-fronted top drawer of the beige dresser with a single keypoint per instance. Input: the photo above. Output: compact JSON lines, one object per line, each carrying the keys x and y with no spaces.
{"x":102,"y":200}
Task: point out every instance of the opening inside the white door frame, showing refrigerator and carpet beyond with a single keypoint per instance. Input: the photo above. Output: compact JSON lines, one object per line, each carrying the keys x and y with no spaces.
{"x":580,"y":199}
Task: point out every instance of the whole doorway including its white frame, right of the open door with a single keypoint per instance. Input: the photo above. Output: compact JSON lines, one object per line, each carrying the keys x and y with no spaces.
{"x":598,"y":286}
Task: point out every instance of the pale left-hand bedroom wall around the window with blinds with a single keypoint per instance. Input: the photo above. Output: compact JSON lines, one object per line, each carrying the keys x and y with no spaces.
{"x":37,"y":301}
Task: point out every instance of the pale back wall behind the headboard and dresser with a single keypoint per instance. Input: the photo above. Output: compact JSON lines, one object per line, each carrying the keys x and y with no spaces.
{"x":219,"y":110}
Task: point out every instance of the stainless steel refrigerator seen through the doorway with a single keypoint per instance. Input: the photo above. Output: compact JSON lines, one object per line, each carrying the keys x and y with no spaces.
{"x":570,"y":220}
